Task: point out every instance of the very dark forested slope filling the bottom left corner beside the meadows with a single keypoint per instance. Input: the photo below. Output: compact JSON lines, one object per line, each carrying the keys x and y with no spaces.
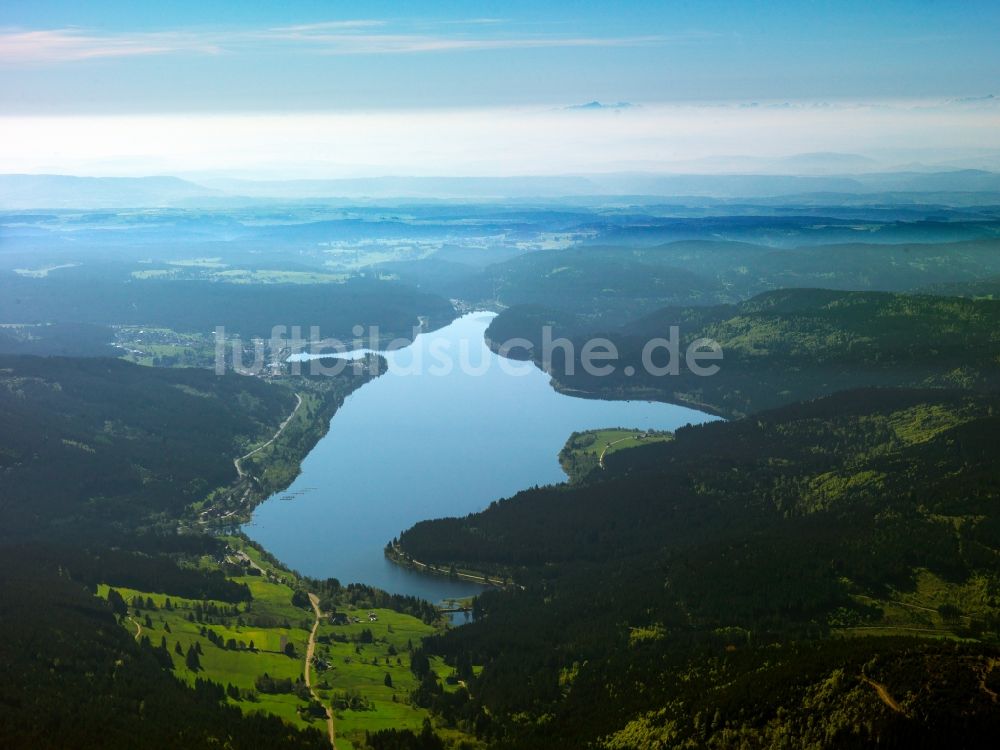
{"x":74,"y":678}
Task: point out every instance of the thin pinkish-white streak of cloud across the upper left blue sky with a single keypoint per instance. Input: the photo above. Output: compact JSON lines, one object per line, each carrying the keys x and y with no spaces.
{"x":348,"y":37}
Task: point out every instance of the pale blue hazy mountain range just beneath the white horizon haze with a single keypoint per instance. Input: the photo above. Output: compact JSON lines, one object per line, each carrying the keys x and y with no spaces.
{"x":20,"y":192}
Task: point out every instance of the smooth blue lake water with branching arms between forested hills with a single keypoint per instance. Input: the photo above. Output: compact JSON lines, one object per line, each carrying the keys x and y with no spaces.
{"x":418,"y":443}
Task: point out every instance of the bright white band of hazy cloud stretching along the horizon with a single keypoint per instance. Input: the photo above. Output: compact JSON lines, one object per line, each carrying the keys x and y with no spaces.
{"x":499,"y":141}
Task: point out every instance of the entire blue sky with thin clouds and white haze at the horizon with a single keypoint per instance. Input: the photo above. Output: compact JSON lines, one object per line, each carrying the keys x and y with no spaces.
{"x":311,"y":88}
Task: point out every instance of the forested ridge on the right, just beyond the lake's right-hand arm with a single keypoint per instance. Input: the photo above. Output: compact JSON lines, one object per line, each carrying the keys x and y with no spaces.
{"x":779,"y":347}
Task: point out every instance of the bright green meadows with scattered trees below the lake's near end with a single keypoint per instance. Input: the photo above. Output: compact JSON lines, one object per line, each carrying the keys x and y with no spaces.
{"x":351,"y":662}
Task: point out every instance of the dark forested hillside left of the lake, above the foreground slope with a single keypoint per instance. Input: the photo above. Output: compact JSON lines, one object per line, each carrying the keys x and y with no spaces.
{"x":90,"y":445}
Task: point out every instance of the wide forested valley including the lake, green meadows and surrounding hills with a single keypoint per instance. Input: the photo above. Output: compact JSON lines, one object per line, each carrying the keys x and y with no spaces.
{"x":830,"y":537}
